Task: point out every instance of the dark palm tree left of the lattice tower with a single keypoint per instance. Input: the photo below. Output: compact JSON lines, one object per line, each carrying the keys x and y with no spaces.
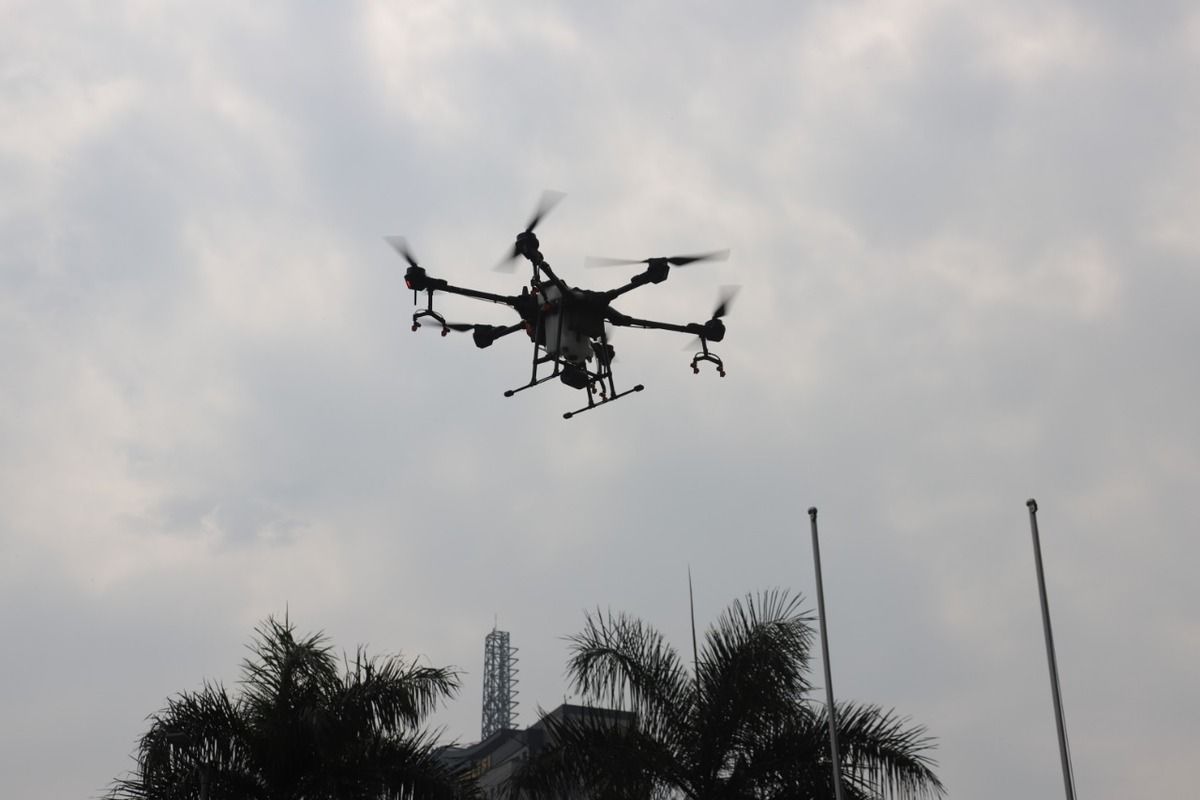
{"x":302,"y":727}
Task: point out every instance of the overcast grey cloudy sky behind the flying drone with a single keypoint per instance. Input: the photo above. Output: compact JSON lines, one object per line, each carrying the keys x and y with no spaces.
{"x":968,"y":237}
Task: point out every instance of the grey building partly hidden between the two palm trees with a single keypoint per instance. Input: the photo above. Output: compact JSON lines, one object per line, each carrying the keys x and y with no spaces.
{"x":495,"y":760}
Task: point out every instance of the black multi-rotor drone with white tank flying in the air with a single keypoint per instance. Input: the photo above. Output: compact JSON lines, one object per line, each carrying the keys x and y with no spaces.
{"x":569,"y":327}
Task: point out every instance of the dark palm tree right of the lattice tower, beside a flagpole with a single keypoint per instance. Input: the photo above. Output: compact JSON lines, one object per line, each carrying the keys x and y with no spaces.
{"x":736,"y":726}
